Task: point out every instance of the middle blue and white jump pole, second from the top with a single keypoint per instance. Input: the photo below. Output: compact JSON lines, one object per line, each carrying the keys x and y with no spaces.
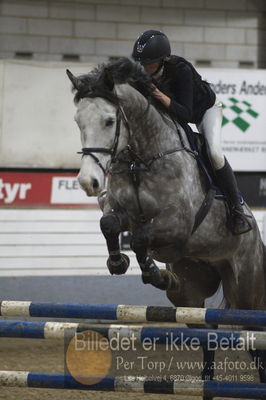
{"x":215,"y":338}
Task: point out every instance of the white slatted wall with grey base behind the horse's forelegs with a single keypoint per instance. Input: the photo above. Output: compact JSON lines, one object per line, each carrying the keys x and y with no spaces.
{"x":60,"y":255}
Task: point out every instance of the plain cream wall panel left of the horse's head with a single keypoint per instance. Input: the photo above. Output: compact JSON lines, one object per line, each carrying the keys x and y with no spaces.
{"x":37,"y":127}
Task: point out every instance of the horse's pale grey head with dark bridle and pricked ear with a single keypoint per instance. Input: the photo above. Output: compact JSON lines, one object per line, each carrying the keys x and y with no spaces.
{"x":102,"y":134}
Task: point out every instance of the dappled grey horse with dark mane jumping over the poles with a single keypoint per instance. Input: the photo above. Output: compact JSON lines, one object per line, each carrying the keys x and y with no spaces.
{"x":155,"y":190}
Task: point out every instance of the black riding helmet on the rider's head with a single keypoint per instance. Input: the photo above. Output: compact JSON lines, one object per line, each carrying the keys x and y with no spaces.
{"x":150,"y":47}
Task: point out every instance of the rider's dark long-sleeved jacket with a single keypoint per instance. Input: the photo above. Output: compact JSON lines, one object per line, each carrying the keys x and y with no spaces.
{"x":190,"y":95}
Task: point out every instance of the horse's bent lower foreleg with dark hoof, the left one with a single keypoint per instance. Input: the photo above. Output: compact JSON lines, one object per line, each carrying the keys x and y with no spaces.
{"x":117,"y":262}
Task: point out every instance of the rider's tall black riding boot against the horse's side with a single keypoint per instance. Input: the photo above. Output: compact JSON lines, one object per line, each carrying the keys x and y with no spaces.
{"x":227,"y":180}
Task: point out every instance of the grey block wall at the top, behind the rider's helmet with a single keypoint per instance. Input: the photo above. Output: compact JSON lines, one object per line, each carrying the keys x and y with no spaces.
{"x":216,"y":33}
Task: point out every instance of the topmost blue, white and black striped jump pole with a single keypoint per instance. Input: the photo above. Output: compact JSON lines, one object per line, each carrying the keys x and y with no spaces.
{"x":133,"y":314}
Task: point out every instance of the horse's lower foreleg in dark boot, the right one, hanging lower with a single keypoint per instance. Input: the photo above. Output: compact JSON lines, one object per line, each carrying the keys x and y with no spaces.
{"x":161,"y":279}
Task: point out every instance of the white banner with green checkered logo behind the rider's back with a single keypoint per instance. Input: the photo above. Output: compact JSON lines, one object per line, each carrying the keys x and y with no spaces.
{"x":243,"y":95}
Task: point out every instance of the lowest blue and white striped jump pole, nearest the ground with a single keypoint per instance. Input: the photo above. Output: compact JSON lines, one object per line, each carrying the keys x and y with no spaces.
{"x":135,"y":384}
